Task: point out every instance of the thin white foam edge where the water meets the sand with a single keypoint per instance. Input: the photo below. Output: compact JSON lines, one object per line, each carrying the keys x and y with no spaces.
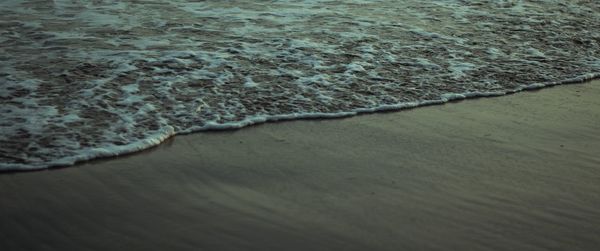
{"x":169,"y":131}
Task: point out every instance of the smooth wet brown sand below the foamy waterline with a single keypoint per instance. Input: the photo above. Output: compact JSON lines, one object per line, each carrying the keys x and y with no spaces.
{"x":519,"y":172}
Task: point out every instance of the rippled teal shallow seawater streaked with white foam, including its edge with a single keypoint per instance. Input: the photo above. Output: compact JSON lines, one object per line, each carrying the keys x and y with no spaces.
{"x":85,"y":79}
